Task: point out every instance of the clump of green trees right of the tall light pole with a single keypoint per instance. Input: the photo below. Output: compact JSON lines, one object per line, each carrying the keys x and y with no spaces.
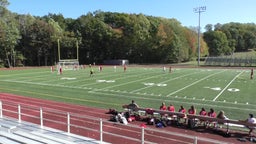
{"x":229,"y":38}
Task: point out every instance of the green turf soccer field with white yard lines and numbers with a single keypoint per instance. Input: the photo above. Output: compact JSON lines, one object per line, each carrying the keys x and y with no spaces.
{"x":230,"y":90}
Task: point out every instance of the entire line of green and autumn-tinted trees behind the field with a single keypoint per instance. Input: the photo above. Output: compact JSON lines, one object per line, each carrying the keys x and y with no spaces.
{"x":33,"y":41}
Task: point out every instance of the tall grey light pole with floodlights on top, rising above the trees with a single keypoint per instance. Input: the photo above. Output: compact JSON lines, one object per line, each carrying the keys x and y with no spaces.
{"x":199,"y":10}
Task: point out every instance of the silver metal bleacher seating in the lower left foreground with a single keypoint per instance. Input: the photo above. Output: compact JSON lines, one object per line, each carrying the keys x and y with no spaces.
{"x":14,"y":132}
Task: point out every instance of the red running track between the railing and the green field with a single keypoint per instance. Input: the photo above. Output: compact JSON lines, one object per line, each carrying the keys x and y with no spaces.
{"x":55,"y":114}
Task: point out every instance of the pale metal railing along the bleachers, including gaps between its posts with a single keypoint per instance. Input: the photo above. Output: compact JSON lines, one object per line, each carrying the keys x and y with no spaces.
{"x":92,"y":127}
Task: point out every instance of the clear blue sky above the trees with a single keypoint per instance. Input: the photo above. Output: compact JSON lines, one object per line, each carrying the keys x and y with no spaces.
{"x":217,"y":11}
